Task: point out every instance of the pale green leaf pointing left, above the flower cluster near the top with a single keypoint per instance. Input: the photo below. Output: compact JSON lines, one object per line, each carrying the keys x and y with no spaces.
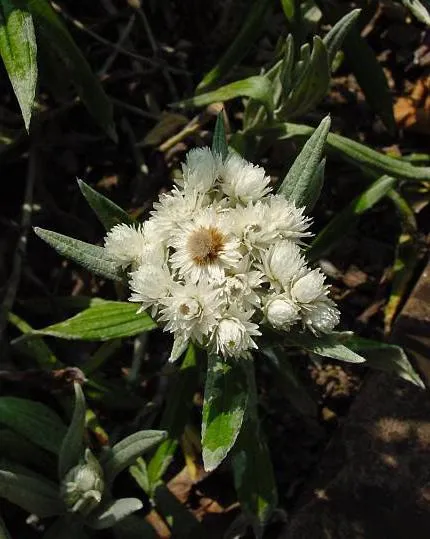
{"x":258,"y":87}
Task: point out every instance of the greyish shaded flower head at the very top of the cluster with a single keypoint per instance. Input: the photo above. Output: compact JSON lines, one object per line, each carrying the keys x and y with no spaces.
{"x":200,"y":170}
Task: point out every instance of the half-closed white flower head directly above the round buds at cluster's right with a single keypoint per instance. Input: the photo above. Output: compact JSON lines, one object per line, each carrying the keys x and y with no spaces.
{"x":283,"y":262}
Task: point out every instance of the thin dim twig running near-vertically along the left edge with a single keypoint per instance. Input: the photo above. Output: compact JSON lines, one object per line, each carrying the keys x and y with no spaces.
{"x":27,"y":211}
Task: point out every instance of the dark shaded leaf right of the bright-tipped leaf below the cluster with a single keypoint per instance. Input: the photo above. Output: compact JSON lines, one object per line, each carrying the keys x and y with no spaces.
{"x":252,"y":468}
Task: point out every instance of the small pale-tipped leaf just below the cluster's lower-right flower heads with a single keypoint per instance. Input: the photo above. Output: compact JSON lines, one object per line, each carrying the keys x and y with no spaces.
{"x":324,"y":345}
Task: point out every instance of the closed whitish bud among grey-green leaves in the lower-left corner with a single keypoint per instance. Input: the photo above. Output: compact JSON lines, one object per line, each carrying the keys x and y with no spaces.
{"x":82,"y":486}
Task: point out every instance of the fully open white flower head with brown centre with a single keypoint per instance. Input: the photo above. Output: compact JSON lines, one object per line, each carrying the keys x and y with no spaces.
{"x":204,"y":247}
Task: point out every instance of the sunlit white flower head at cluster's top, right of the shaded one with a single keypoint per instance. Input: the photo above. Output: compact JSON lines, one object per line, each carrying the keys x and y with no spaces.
{"x":242,"y":181}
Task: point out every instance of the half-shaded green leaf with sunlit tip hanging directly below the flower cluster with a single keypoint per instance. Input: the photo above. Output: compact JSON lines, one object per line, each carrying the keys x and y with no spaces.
{"x":224,"y":406}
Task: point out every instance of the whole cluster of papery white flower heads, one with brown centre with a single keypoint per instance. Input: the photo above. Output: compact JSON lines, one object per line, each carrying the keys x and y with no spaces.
{"x":221,"y":255}
